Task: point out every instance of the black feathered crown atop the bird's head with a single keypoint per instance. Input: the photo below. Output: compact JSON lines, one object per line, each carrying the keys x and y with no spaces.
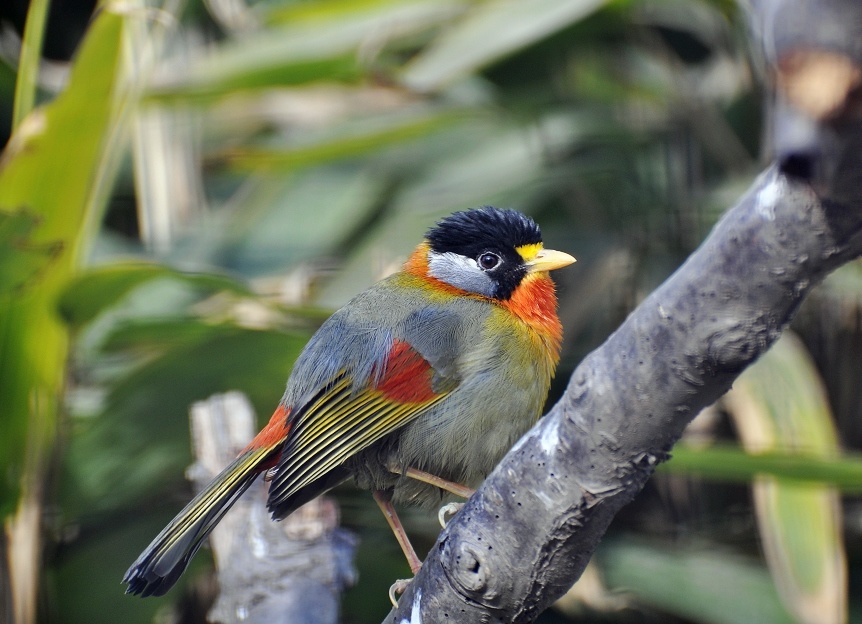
{"x":470,"y":231}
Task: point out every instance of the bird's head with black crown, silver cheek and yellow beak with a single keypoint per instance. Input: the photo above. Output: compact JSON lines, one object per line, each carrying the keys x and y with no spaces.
{"x":487,"y":251}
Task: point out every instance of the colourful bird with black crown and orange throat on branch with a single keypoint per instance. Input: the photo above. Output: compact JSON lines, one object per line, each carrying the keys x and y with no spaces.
{"x":417,"y":385}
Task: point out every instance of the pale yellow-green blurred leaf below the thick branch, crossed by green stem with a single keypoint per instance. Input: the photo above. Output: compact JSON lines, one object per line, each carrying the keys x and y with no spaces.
{"x":779,"y":404}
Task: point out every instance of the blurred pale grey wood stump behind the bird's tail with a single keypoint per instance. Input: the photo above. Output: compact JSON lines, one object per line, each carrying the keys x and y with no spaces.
{"x":290,"y":571}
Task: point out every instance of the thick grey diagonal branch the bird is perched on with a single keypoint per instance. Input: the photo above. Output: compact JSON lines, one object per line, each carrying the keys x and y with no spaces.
{"x":528,"y":533}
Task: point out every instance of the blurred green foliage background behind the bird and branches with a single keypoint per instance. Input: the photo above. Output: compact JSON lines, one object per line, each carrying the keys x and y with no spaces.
{"x":203,"y":181}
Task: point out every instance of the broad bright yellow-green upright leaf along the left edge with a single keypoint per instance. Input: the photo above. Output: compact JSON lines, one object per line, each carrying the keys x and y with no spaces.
{"x":55,"y":166}
